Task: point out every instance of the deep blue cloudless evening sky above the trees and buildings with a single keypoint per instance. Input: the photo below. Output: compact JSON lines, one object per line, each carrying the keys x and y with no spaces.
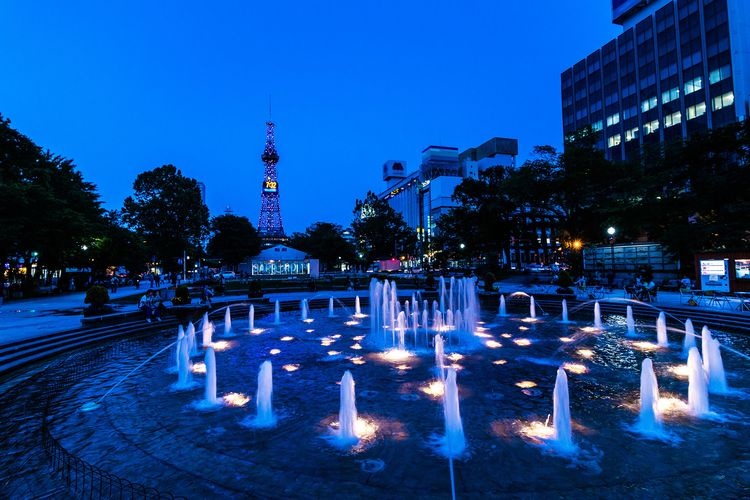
{"x":126,"y":86}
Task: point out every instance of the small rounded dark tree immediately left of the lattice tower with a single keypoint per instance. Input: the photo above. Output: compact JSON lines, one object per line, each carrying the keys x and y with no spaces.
{"x":234,"y":239}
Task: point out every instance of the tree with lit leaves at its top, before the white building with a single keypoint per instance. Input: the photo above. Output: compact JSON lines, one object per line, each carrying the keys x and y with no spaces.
{"x":380,"y":232}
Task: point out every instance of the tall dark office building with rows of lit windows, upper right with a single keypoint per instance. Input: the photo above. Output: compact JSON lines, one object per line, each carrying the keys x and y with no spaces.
{"x":679,"y":67}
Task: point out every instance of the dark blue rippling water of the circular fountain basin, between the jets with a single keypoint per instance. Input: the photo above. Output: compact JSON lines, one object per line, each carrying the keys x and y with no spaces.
{"x":147,"y":433}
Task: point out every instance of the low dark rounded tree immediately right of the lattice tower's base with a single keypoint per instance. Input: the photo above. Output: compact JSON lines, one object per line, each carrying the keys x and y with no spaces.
{"x":324,"y":241}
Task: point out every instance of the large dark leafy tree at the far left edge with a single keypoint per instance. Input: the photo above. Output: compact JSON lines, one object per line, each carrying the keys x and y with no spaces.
{"x":47,"y":210}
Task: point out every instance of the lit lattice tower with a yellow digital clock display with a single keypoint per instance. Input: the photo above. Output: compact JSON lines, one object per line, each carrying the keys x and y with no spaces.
{"x":270,"y":225}
